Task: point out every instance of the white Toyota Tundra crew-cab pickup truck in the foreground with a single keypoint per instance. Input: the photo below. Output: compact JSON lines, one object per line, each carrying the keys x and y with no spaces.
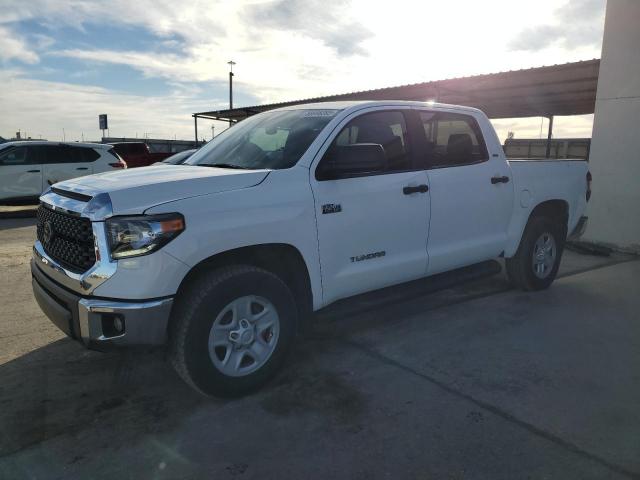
{"x":223,"y":257}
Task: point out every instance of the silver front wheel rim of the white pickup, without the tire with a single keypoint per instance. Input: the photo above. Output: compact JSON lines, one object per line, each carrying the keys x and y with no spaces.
{"x":244,"y":335}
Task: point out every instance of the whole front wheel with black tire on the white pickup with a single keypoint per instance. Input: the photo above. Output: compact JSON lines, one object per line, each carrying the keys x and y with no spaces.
{"x":219,"y":350}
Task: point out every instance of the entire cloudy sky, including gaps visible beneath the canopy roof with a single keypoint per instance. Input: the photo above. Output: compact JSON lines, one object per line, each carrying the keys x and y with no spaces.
{"x":149,"y":64}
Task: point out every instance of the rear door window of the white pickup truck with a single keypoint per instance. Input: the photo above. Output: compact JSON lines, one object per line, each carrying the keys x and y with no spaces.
{"x":452,"y":139}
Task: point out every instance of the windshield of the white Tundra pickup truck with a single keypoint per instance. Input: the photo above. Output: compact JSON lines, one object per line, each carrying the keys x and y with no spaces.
{"x":272,"y":140}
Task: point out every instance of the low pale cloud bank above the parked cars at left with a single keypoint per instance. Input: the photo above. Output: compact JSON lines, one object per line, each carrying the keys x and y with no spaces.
{"x":43,"y":108}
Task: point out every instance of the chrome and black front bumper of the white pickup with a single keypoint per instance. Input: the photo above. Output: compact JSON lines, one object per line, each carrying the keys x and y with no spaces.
{"x":99,"y":323}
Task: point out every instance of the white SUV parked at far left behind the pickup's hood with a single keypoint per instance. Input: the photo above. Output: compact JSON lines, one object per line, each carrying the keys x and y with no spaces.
{"x":28,"y":168}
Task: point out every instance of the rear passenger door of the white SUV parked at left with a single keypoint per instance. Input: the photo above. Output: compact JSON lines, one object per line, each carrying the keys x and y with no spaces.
{"x":65,"y":161}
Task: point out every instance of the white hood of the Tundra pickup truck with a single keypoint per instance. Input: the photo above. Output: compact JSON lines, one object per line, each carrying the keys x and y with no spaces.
{"x":132,"y":191}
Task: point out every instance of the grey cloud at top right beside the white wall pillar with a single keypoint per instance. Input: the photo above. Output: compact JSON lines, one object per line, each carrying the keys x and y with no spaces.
{"x":578,"y":23}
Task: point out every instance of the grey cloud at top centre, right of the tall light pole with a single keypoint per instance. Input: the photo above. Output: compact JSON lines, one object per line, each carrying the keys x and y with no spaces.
{"x":322,"y":20}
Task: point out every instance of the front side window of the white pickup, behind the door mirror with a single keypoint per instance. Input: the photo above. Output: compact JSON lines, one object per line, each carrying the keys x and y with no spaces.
{"x":387,"y":129}
